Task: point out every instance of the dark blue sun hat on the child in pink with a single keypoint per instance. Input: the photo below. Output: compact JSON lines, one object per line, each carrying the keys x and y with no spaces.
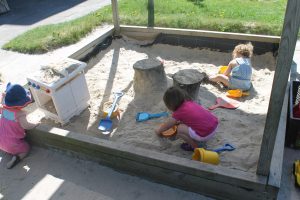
{"x":16,"y":96}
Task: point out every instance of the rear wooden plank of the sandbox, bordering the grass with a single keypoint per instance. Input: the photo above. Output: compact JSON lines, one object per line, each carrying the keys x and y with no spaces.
{"x":203,"y":33}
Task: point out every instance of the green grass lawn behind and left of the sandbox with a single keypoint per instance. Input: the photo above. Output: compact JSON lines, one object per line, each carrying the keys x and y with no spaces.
{"x":243,"y":16}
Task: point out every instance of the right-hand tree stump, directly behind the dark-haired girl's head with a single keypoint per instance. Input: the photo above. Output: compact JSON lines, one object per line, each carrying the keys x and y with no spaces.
{"x":188,"y":80}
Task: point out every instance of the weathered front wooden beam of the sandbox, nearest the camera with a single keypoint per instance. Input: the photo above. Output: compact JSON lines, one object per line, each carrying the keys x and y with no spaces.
{"x":52,"y":136}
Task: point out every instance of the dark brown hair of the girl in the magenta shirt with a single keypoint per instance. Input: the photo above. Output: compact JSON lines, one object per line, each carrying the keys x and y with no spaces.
{"x":174,"y":97}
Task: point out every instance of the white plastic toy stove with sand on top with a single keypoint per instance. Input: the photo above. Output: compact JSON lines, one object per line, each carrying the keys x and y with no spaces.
{"x":60,"y":89}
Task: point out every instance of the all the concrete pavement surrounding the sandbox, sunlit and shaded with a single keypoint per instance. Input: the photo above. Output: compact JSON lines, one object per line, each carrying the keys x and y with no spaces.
{"x":47,"y":174}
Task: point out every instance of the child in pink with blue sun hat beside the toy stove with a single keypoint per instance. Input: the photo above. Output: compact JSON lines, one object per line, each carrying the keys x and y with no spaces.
{"x":13,"y":122}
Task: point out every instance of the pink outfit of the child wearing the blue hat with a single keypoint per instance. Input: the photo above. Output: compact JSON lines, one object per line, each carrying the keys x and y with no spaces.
{"x":12,"y":133}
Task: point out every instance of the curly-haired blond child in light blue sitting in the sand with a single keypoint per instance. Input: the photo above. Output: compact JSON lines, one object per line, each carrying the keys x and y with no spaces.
{"x":239,"y":67}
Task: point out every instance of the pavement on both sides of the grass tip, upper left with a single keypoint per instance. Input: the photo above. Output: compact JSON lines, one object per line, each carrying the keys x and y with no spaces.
{"x":25,"y":15}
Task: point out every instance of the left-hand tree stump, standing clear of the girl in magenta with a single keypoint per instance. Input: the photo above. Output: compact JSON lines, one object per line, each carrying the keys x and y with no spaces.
{"x":149,"y":77}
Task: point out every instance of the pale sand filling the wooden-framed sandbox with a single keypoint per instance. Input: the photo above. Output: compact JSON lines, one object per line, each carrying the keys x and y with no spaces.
{"x":112,"y":70}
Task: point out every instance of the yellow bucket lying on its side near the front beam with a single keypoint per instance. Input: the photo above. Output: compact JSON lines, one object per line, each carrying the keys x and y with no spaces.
{"x":205,"y":156}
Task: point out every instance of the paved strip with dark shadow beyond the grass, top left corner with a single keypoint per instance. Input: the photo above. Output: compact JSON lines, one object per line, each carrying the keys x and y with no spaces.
{"x":25,"y":15}
